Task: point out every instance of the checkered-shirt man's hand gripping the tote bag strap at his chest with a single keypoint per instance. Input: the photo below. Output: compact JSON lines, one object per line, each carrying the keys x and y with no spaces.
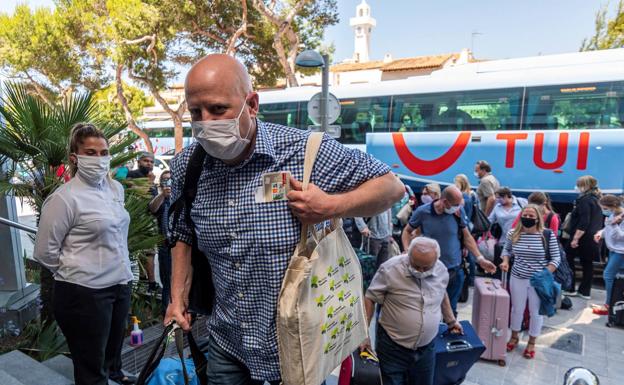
{"x":313,"y":205}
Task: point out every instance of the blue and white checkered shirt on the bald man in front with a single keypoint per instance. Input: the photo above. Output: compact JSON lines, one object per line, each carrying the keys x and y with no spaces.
{"x":249,"y":244}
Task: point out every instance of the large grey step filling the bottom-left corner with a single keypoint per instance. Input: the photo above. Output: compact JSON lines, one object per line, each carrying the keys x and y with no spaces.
{"x":30,"y":372}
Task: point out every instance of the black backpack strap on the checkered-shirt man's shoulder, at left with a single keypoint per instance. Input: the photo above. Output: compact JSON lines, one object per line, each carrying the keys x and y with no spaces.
{"x":189,"y":192}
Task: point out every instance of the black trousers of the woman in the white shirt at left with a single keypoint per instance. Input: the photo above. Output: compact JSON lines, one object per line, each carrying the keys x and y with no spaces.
{"x":94,"y":323}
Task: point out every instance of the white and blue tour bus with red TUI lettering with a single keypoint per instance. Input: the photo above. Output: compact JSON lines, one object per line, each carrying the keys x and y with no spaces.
{"x":540,"y":122}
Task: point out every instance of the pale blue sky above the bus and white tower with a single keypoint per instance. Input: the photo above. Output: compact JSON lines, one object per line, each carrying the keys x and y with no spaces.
{"x":507,"y":28}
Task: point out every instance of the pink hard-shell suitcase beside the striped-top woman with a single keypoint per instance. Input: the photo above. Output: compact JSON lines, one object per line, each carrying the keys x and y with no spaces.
{"x":490,"y":317}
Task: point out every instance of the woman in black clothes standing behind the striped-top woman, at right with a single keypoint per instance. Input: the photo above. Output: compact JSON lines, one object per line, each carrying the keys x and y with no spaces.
{"x":585,"y":221}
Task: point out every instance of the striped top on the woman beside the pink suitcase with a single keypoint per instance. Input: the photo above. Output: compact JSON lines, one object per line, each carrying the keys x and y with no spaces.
{"x":529,"y":254}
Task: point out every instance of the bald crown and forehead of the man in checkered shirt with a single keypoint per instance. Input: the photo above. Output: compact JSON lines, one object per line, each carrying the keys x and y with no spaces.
{"x":217,"y":71}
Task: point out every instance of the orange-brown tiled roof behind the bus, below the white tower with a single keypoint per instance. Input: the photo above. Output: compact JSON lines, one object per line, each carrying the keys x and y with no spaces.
{"x":412,"y":63}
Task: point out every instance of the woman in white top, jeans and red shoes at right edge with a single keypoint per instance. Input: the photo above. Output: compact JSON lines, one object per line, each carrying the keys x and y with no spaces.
{"x":613,"y":235}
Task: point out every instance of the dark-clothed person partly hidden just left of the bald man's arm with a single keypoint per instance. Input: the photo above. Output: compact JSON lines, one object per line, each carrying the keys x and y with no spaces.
{"x":159,"y":206}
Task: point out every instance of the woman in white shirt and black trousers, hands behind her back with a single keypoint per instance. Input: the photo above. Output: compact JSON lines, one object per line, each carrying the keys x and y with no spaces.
{"x":83,"y":240}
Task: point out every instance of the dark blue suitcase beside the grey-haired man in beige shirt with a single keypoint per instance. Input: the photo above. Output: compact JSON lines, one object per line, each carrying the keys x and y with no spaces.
{"x":455,"y":354}
